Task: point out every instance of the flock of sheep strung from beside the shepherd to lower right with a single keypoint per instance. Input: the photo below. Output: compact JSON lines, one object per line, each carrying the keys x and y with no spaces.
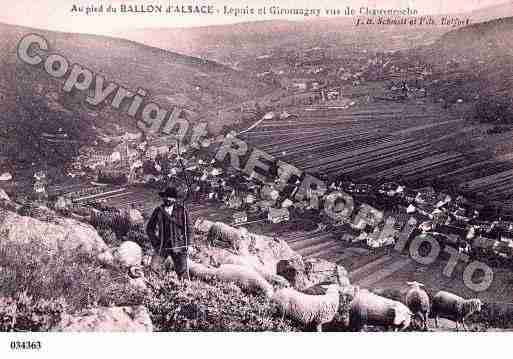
{"x":365,"y":307}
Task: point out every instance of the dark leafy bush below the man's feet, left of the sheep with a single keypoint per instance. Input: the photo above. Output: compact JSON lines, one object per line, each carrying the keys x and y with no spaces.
{"x":215,"y":306}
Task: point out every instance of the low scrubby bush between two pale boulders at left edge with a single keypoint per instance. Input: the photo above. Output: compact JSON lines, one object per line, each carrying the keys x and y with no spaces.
{"x":47,"y":277}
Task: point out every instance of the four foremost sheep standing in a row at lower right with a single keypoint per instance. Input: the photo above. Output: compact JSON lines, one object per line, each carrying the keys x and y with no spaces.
{"x":368,"y":308}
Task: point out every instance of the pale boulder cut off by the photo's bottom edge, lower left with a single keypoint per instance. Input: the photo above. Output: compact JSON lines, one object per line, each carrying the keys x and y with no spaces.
{"x":107,"y":319}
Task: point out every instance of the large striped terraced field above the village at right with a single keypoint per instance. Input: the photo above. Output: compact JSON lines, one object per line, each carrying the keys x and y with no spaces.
{"x":416,"y":142}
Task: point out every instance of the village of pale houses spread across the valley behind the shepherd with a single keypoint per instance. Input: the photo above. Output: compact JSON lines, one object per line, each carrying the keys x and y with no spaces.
{"x":125,"y":178}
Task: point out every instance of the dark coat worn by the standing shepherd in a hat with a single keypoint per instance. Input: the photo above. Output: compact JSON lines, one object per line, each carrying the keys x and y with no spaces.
{"x":167,"y":232}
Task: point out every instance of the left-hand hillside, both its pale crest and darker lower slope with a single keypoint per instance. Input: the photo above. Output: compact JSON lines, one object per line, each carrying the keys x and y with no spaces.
{"x":32,"y":102}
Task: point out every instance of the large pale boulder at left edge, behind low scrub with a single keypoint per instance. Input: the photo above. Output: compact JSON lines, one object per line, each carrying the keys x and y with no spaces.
{"x":61,"y":234}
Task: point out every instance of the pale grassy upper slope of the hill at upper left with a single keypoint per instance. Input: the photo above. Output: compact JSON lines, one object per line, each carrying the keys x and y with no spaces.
{"x":134,"y":65}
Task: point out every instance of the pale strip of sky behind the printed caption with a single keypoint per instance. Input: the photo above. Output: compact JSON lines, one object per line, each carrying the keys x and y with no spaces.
{"x":57,"y":15}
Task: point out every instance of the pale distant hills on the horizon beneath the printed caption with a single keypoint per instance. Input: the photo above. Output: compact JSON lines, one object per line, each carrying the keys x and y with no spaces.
{"x":237,"y":43}
